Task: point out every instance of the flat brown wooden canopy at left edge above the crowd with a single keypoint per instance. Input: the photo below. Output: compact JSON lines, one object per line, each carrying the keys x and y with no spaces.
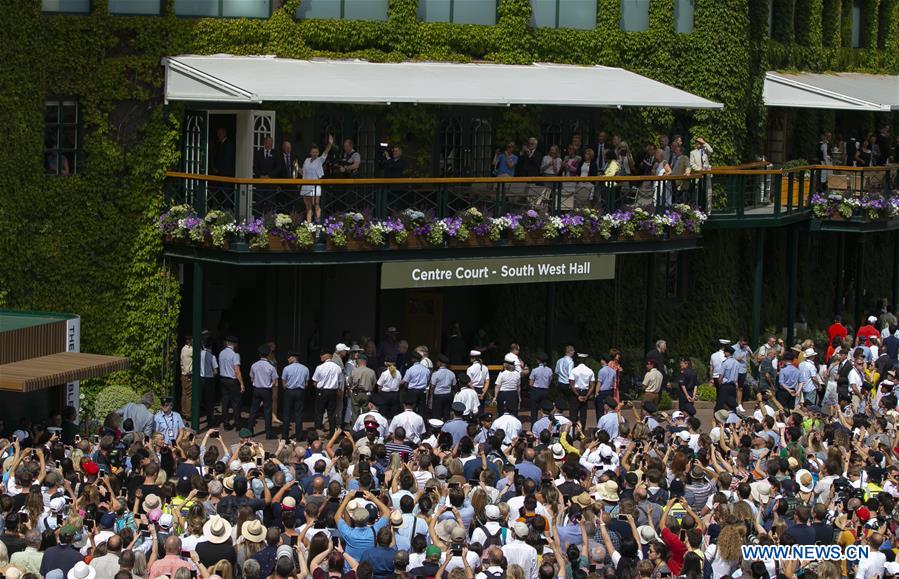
{"x":46,"y":371}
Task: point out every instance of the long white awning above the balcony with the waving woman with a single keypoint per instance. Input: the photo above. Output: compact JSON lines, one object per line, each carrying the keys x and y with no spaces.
{"x":256,"y":79}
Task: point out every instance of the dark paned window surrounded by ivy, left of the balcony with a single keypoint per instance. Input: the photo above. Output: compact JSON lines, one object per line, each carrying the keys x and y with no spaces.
{"x":62,"y":137}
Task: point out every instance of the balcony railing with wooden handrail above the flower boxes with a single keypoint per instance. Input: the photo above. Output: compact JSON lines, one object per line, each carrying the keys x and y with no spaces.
{"x":743,"y":191}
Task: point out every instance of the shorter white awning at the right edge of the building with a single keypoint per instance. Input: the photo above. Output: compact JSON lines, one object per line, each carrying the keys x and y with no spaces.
{"x":849,"y":91}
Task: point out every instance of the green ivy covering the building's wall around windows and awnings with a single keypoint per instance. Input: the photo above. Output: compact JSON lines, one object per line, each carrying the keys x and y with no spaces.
{"x":86,"y":243}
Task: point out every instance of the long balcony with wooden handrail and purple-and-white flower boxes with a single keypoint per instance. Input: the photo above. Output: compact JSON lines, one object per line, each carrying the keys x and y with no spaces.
{"x":258,"y":221}
